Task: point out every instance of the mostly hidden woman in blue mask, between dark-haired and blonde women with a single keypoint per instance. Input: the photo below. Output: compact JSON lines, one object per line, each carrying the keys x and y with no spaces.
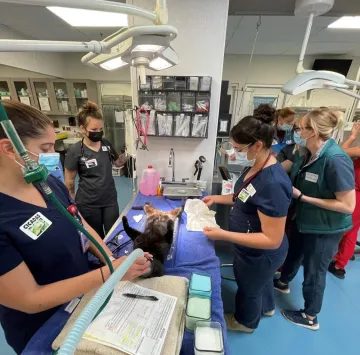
{"x":284,"y":121}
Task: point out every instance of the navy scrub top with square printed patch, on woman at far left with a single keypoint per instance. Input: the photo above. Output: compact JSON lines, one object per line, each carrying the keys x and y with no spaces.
{"x":49,"y":245}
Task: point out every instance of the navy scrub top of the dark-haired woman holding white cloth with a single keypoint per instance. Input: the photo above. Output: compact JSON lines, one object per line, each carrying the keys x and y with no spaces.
{"x":272,"y":197}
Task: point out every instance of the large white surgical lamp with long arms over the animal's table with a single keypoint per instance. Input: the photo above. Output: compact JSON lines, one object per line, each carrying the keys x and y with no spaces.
{"x":140,"y":46}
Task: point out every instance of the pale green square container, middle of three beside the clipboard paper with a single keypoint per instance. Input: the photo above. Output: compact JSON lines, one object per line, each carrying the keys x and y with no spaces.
{"x":197,"y":309}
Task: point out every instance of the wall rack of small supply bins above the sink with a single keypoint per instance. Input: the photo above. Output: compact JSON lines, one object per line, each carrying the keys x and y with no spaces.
{"x":182,"y":105}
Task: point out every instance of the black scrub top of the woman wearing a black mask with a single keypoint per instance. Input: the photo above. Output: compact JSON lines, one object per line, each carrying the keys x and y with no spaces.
{"x":96,"y":185}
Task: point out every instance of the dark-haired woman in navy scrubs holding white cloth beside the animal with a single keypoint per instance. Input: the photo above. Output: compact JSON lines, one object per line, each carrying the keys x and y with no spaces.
{"x":257,"y":221}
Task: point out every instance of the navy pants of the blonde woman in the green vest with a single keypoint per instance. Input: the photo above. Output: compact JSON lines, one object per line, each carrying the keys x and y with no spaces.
{"x":315,"y":252}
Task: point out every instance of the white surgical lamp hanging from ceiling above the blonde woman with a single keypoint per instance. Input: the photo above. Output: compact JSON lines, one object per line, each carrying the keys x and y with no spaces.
{"x":316,"y":79}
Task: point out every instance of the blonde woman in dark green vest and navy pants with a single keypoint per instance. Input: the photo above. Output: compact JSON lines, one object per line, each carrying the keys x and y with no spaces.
{"x":323,"y":180}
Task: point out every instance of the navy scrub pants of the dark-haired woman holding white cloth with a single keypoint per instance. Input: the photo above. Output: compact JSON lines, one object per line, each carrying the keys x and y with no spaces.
{"x":254,"y":272}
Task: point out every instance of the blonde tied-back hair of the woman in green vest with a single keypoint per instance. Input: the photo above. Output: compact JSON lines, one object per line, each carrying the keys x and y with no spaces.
{"x":323,"y":122}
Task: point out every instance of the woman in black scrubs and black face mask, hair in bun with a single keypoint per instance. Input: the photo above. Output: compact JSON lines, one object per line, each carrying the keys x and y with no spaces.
{"x":92,"y":159}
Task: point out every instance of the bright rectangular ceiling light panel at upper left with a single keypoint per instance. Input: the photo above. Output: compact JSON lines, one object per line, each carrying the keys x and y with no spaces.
{"x":89,"y":18}
